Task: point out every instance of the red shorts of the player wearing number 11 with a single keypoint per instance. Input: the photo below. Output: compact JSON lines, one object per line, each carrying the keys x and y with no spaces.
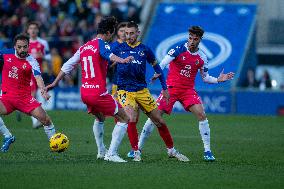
{"x":104,"y":104}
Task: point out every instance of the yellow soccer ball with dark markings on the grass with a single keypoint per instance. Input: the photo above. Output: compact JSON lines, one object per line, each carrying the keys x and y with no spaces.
{"x":58,"y":142}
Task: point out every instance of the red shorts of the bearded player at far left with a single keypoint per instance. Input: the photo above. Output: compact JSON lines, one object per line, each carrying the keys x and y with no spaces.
{"x":25,"y":105}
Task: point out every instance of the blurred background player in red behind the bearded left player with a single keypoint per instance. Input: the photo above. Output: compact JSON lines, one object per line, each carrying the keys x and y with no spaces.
{"x":39,"y":49}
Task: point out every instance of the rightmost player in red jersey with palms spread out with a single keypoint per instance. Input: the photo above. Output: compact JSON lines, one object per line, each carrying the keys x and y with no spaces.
{"x":184,"y":62}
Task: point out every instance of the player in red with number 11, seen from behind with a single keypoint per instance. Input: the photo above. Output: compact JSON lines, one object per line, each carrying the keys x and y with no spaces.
{"x":93,"y":57}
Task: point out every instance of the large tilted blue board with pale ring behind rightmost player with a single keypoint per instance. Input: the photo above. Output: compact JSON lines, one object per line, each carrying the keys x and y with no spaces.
{"x":227,"y":28}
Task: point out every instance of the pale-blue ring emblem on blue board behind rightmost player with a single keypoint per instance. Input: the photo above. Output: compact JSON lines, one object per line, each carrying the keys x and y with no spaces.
{"x":215,"y":59}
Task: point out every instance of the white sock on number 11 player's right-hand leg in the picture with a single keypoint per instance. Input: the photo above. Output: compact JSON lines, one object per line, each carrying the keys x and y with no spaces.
{"x":117,"y":136}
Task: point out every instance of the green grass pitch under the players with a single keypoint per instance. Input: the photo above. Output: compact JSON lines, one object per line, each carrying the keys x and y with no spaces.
{"x":249,"y":152}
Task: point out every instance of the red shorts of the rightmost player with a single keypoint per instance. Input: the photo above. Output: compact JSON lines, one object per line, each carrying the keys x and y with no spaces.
{"x":187,"y":97}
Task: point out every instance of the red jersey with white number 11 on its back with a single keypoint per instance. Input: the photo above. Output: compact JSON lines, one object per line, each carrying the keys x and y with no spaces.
{"x":93,"y":57}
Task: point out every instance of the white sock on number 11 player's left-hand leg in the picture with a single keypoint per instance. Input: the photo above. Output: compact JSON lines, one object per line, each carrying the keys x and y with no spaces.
{"x":98,"y":129}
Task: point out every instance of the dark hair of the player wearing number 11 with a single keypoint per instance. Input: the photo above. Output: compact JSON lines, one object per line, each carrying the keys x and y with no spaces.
{"x":107,"y":24}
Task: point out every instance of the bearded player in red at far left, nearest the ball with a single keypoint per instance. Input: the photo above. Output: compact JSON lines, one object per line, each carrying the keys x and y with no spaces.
{"x":18,"y":66}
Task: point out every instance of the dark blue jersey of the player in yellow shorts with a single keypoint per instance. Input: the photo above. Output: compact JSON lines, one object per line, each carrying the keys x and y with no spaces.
{"x":131,"y":76}
